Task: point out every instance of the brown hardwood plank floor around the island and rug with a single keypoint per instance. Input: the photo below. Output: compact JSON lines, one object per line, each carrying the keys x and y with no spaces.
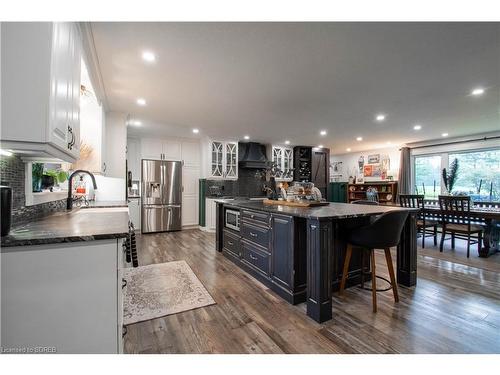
{"x":455,"y":308}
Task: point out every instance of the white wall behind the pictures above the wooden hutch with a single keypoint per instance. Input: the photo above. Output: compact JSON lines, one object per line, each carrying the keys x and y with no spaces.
{"x":350,"y":162}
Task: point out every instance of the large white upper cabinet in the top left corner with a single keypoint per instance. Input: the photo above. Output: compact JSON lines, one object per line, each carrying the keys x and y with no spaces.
{"x":41,"y":89}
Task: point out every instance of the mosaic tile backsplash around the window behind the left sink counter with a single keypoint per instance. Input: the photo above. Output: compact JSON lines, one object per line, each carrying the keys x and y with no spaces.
{"x":12,"y":174}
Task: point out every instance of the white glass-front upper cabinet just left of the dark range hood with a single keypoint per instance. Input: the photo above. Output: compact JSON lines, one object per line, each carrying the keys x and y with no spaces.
{"x":223,"y":160}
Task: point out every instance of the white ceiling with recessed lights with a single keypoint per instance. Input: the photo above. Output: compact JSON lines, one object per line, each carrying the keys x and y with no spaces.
{"x":277,"y":81}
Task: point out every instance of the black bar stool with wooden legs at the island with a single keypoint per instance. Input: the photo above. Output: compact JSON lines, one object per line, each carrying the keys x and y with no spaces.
{"x":383,"y":233}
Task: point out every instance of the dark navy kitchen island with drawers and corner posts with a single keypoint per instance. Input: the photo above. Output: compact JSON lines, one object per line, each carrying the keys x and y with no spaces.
{"x":299,"y":252}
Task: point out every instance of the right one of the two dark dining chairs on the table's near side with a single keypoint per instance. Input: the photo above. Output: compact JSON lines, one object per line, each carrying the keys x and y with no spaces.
{"x":456,"y":220}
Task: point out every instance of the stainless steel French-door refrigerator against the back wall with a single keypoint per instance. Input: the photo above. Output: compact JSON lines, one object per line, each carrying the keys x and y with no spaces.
{"x":161,"y":195}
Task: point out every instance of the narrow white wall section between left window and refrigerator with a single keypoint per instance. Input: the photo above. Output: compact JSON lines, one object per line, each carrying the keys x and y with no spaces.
{"x":115,"y":144}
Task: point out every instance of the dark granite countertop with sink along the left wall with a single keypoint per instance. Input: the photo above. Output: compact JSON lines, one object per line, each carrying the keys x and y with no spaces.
{"x":79,"y":224}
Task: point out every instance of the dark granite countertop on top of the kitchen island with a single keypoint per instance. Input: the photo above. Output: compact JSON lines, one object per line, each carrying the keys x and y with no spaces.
{"x":333,"y":210}
